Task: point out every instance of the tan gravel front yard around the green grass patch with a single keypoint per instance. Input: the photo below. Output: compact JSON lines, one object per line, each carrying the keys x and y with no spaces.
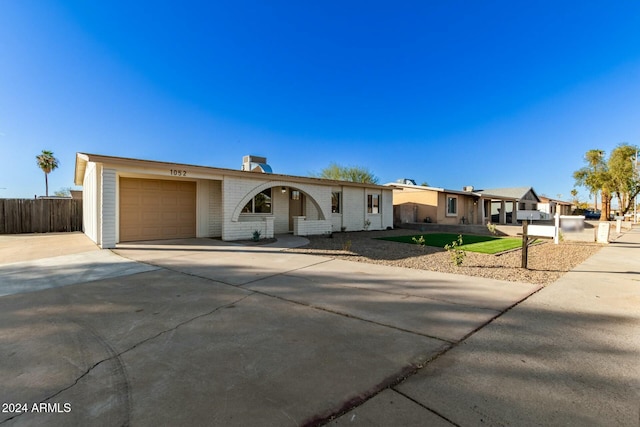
{"x":547,"y":262}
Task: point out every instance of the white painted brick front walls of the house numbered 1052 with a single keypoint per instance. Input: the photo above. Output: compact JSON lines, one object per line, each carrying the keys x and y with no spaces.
{"x":219,"y":201}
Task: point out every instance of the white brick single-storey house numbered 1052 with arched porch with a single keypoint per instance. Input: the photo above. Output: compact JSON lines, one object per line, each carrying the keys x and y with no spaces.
{"x":131,"y":199}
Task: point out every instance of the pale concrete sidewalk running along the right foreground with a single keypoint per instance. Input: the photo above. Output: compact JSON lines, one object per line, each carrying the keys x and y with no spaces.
{"x":568,"y":355}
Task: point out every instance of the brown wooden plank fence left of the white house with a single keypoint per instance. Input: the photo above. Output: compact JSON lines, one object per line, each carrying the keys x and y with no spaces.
{"x":40,"y":215}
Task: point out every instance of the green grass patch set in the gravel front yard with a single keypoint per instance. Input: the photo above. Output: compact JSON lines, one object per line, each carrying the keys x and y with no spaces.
{"x":471,"y":243}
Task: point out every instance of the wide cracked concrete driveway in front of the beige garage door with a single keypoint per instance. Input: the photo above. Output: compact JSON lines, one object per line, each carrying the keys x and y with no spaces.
{"x":200,"y":332}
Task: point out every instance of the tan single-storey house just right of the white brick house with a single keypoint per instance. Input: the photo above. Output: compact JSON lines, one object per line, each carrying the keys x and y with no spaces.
{"x":417,"y":203}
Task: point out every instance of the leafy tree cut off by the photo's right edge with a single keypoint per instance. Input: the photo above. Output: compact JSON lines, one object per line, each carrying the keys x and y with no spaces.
{"x":623,"y":173}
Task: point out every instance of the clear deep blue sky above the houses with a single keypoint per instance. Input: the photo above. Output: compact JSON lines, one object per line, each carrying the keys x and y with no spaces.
{"x":455,"y":93}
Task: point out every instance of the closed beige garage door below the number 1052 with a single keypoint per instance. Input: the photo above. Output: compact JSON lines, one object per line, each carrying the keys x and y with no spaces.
{"x":152,"y":209}
